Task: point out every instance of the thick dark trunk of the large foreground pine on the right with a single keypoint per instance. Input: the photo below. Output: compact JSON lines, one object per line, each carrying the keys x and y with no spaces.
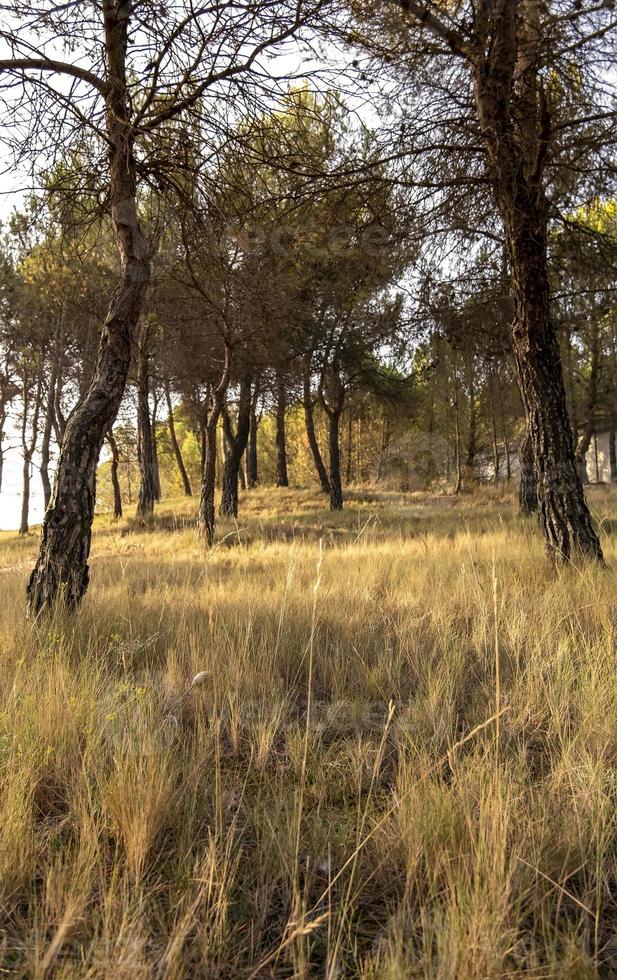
{"x":515,"y":123}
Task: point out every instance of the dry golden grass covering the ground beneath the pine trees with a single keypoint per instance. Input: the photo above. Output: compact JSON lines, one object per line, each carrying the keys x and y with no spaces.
{"x":401,"y":761}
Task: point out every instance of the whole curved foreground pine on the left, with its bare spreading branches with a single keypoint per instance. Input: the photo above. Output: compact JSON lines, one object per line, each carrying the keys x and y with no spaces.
{"x":119,"y":76}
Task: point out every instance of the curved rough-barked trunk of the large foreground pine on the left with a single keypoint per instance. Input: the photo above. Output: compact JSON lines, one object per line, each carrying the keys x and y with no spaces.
{"x":61,"y":570}
